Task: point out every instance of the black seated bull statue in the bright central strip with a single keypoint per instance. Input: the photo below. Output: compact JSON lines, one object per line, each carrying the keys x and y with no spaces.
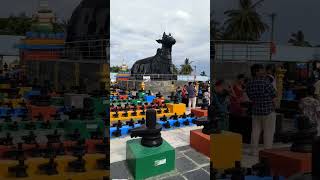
{"x":159,"y":66}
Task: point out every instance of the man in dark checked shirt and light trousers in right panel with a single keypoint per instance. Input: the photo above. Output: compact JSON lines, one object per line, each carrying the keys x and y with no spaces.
{"x":262,"y":95}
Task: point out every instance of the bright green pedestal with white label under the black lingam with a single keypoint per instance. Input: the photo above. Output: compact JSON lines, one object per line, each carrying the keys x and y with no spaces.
{"x":144,"y":162}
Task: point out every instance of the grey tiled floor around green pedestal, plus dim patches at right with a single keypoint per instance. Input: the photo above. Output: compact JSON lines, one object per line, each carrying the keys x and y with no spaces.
{"x":189,"y":163}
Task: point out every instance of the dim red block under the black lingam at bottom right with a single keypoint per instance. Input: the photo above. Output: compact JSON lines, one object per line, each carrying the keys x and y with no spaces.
{"x":283,"y":162}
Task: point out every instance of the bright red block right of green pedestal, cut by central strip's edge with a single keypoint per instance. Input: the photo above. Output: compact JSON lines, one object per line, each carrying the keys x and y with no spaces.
{"x":200,"y":142}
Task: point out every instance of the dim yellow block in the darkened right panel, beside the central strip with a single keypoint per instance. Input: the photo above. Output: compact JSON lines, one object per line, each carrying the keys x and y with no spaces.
{"x":225,"y":149}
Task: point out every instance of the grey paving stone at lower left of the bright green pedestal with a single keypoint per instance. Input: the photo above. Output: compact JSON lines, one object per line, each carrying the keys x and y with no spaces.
{"x":119,"y":170}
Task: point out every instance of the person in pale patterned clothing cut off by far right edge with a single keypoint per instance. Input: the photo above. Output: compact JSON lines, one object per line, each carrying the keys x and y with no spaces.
{"x":310,"y":107}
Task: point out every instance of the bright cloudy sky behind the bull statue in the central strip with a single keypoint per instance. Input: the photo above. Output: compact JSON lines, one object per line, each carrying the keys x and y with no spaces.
{"x":135,"y":26}
